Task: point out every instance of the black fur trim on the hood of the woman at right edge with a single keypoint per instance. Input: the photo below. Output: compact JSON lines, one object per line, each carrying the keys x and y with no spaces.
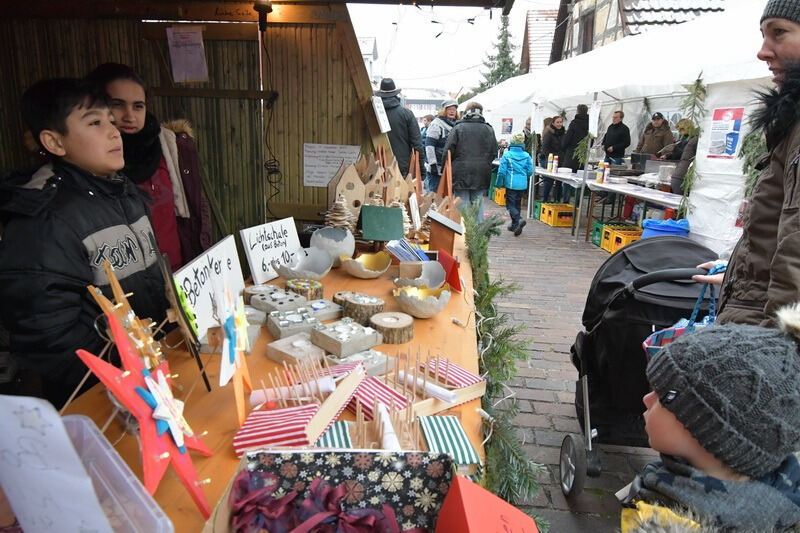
{"x":781,"y":107}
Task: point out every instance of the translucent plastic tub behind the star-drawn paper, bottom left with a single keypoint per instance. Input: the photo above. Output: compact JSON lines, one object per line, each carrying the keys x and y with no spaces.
{"x":128,"y":506}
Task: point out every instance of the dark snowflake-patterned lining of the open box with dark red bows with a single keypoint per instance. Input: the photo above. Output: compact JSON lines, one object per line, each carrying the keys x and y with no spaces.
{"x":413,"y":484}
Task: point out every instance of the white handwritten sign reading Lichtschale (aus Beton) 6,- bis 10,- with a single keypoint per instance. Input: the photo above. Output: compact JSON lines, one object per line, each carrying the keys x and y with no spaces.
{"x":264,"y":243}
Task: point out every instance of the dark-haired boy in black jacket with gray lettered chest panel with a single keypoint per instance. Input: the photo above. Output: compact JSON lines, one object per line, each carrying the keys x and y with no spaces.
{"x":60,"y":223}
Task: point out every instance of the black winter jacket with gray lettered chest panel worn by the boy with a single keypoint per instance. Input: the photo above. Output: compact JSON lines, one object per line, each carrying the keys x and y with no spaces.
{"x":60,"y":224}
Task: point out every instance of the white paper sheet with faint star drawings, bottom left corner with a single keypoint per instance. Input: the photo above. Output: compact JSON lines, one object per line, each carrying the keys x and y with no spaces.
{"x":40,"y":471}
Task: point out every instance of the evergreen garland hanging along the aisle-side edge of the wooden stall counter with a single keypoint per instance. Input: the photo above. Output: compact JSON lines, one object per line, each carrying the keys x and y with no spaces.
{"x":508,"y":473}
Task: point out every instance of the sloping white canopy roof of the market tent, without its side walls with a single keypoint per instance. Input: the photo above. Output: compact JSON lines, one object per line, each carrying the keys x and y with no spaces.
{"x":720,"y":46}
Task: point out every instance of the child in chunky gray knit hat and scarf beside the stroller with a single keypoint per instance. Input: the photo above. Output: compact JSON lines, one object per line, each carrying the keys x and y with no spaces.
{"x":725,"y":414}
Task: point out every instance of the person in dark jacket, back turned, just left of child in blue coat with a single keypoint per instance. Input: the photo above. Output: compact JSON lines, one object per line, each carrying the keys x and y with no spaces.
{"x":473,"y":147}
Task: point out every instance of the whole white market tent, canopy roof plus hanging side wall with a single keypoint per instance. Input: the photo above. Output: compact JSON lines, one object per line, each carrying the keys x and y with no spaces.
{"x":720,"y":47}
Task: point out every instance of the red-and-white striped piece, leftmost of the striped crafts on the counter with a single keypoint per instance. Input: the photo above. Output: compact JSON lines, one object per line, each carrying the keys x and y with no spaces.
{"x":278,"y":427}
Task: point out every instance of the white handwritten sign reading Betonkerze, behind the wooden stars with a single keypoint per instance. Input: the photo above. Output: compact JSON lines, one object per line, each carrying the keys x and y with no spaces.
{"x":203,"y":280}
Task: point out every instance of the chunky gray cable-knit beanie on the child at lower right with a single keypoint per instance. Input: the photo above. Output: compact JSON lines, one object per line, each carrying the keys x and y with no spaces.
{"x":736,"y":389}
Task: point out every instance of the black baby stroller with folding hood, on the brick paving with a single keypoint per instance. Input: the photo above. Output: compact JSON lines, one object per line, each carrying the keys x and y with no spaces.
{"x":642,"y":288}
